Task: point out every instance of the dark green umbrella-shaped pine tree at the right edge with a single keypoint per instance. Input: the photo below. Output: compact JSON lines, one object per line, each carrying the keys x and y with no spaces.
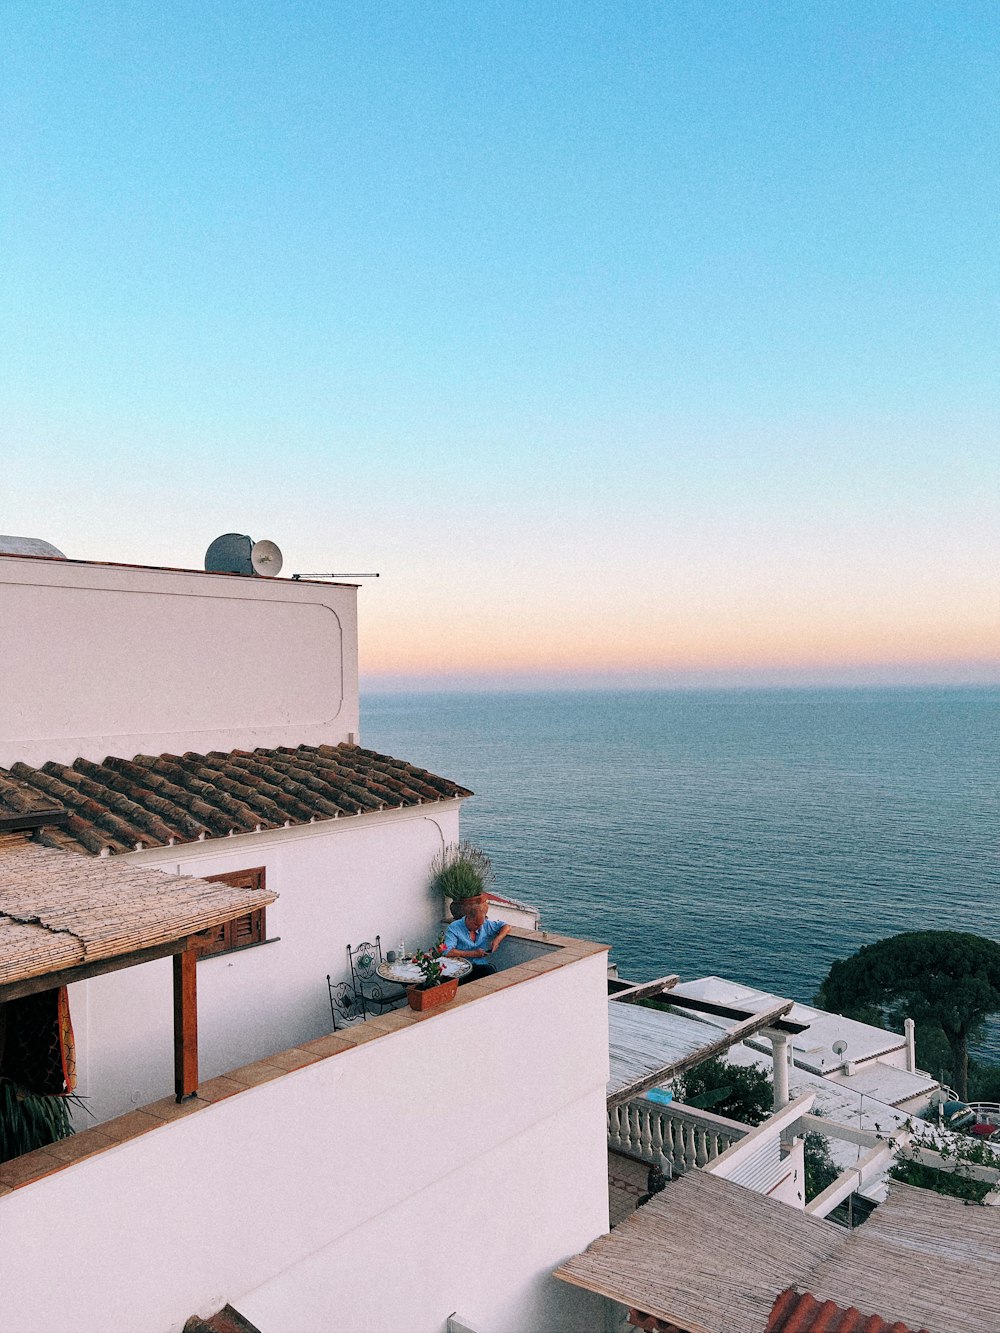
{"x":941,"y":979}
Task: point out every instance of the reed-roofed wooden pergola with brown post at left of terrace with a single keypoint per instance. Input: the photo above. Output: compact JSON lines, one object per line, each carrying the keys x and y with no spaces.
{"x":66,"y":918}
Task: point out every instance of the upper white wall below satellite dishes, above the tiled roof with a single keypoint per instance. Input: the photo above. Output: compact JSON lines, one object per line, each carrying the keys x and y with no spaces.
{"x":115,"y":661}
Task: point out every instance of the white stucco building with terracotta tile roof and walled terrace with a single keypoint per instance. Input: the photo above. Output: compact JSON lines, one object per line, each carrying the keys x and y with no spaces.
{"x":386,"y":1176}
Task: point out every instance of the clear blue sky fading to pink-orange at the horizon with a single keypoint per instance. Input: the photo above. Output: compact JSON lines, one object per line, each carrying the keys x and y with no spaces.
{"x":633,"y":345}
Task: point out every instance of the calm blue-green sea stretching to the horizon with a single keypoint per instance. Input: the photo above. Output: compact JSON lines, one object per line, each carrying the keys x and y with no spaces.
{"x":754,"y":835}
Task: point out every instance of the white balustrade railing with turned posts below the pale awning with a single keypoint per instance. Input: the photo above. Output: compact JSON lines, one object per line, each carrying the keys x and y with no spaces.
{"x":683,"y":1136}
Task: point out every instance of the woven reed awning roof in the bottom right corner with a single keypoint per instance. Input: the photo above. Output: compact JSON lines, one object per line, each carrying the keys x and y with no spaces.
{"x":713,"y":1258}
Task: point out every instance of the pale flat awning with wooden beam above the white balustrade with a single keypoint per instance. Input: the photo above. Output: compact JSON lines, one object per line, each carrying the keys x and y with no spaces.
{"x":651,"y":1046}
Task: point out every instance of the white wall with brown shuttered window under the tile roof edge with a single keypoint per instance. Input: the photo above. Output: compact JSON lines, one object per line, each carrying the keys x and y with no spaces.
{"x":339,"y":882}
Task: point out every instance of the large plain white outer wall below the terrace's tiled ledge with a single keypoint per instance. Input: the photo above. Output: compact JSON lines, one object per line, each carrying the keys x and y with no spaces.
{"x":359,"y":1194}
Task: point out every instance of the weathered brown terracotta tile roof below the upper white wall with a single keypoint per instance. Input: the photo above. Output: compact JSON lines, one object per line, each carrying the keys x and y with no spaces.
{"x":158,"y":800}
